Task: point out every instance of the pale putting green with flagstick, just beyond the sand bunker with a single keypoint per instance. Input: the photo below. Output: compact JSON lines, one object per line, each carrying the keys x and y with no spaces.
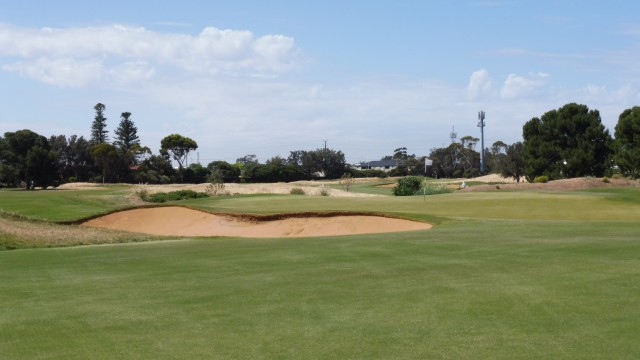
{"x":525,"y":205}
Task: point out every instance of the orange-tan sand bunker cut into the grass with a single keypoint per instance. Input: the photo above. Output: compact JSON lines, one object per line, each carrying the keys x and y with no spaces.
{"x":179,"y":221}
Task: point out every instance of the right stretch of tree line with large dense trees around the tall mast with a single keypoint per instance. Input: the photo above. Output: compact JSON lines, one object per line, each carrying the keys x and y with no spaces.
{"x":563,"y":143}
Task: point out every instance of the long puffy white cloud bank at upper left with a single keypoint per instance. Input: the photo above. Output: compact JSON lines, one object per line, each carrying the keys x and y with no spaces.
{"x":119,"y":52}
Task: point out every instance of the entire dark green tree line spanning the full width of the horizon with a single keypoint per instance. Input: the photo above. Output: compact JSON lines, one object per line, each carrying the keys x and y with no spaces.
{"x":567,"y":142}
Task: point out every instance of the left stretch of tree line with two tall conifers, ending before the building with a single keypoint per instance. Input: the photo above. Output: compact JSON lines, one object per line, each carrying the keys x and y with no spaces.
{"x":29,"y":160}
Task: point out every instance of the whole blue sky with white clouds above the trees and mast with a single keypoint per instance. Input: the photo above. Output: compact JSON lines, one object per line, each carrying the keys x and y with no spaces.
{"x":267,"y":77}
